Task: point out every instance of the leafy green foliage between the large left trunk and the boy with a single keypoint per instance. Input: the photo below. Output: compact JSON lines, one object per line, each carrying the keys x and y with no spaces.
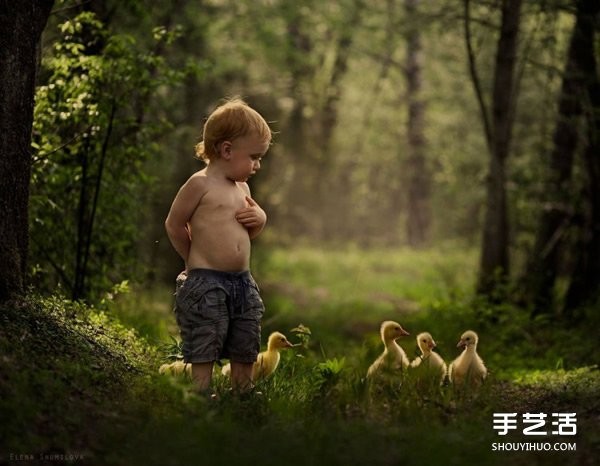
{"x":92,"y":141}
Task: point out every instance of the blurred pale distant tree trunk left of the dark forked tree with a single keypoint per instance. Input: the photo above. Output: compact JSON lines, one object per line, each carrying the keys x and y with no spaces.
{"x":418,"y":176}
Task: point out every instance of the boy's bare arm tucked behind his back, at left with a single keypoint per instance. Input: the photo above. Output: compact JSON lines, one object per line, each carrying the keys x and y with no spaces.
{"x":183,"y":207}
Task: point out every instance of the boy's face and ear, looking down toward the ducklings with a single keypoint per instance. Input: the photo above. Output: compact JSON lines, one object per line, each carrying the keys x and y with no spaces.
{"x":244,"y":155}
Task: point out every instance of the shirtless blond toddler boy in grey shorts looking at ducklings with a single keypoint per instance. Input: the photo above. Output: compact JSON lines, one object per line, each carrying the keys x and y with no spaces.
{"x":210,"y":224}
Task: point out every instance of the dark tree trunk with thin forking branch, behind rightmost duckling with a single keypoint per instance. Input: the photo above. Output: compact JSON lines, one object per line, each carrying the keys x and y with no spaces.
{"x":494,"y":266}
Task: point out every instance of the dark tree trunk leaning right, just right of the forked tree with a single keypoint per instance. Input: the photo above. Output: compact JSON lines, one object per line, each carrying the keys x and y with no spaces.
{"x":543,"y":265}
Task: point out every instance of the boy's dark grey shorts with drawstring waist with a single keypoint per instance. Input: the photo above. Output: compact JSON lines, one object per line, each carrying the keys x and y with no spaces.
{"x":219,"y":316}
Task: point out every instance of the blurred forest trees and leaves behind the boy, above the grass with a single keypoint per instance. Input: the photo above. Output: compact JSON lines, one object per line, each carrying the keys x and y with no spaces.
{"x":397,"y":124}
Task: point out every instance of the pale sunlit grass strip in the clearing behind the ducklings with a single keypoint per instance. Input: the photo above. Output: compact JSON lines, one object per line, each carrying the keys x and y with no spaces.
{"x":398,"y":277}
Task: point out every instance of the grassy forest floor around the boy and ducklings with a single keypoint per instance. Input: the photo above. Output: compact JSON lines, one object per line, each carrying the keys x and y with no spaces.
{"x":77,"y":384}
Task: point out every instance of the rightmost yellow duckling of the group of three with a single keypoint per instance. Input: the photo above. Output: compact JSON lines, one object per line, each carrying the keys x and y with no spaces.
{"x":468,"y":368}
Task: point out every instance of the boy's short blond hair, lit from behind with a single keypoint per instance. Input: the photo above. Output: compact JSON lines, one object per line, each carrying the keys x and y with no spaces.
{"x":230,"y":120}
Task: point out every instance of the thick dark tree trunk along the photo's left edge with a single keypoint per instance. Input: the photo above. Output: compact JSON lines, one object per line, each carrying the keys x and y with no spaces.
{"x":21,"y":24}
